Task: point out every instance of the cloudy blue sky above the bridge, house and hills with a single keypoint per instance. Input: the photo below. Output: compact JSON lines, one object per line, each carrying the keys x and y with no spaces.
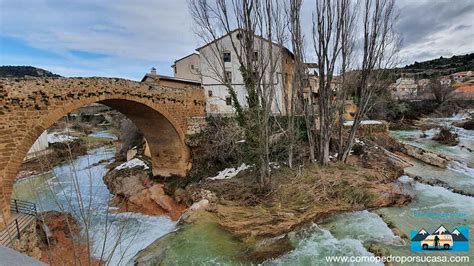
{"x":125,"y":38}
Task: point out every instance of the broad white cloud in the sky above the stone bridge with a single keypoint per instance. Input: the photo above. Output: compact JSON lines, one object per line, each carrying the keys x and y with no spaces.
{"x":146,"y":32}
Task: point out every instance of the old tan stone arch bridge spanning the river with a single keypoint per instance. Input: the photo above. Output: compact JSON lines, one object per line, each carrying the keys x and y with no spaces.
{"x":161,"y":109}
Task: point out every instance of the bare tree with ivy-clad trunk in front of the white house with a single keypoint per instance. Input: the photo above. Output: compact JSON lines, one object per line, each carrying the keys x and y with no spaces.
{"x":256,"y":33}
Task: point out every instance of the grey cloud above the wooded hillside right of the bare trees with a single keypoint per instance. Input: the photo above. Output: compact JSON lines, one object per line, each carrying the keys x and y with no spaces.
{"x":435,"y":28}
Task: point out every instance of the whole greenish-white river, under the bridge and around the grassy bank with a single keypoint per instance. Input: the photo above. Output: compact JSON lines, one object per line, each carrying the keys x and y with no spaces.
{"x":345,"y":234}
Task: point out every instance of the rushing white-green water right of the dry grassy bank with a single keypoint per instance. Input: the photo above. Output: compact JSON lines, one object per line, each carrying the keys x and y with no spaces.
{"x":352,"y":233}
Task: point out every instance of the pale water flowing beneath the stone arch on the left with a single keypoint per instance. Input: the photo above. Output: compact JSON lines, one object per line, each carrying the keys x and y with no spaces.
{"x":124,"y":234}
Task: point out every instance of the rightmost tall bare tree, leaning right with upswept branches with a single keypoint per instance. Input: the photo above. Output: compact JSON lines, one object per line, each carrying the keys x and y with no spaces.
{"x":379,"y":48}
